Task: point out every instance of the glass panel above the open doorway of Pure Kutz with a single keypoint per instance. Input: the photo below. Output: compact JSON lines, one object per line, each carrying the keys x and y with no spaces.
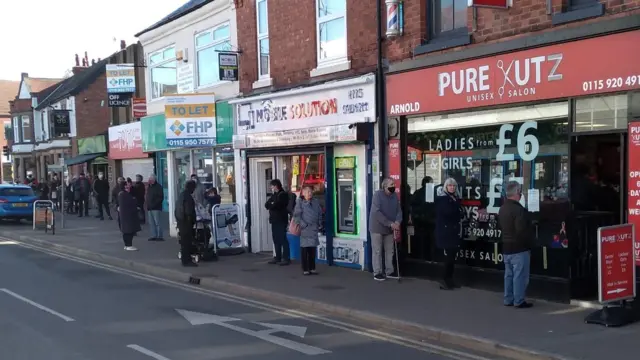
{"x":602,"y":113}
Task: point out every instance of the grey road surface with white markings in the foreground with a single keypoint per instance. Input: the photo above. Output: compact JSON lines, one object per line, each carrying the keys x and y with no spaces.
{"x":57,"y":309}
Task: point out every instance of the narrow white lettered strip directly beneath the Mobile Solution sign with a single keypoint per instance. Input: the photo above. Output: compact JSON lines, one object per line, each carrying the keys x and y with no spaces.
{"x":327,"y":134}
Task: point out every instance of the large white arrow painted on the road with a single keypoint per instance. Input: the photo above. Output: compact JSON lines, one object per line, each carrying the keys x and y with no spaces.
{"x":196,"y":318}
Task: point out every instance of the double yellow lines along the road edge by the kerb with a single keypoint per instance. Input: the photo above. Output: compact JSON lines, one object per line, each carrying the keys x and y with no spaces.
{"x":422,"y":345}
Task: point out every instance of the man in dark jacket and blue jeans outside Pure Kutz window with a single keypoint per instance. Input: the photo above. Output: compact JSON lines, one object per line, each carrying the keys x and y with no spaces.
{"x":517,"y":241}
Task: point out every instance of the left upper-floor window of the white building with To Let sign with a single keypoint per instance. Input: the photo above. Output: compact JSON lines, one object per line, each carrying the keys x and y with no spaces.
{"x":162,"y":70}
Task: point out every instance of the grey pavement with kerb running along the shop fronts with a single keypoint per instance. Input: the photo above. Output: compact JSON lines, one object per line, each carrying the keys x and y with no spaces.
{"x":414,"y":308}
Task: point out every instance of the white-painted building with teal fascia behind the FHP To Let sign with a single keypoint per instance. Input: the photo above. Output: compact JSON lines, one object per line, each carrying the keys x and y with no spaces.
{"x":181,"y":55}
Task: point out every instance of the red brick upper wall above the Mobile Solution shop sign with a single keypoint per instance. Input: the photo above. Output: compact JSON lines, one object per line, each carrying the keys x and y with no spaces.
{"x":292,"y":41}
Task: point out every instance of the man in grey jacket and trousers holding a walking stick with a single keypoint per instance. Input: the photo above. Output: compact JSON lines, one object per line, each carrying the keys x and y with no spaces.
{"x":384,"y":218}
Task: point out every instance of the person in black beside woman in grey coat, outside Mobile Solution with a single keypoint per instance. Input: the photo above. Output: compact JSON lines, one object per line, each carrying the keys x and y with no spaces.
{"x":279,"y":219}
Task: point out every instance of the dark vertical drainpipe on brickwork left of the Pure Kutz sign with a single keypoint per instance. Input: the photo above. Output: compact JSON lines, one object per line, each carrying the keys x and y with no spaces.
{"x":380,"y":97}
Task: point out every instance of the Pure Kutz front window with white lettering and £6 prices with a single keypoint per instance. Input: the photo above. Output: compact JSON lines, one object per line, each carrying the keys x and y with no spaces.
{"x":483,"y":160}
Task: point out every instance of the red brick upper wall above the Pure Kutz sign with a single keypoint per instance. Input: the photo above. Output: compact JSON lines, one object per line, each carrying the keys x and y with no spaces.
{"x":493,"y":25}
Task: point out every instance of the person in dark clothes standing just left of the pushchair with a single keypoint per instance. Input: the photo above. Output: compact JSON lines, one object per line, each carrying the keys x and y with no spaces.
{"x":185,"y":213}
